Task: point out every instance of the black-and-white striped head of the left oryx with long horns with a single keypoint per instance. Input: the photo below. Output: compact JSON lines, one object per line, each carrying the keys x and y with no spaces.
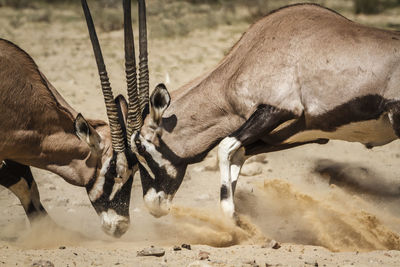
{"x":109,"y":190}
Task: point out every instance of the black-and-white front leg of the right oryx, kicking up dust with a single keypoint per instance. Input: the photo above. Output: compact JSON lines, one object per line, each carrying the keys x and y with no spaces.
{"x":231,"y":151}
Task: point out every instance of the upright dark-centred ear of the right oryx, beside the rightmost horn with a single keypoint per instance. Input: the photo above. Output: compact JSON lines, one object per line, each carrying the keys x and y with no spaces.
{"x":159,"y":101}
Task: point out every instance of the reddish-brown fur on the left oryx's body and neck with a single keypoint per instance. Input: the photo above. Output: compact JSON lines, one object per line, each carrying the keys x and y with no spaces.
{"x":37,"y":123}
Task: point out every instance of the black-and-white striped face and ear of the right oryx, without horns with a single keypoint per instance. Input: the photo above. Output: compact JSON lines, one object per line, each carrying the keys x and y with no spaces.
{"x":161,"y":171}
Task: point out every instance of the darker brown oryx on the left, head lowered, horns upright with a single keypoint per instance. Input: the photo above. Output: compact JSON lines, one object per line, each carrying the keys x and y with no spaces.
{"x":39,"y":128}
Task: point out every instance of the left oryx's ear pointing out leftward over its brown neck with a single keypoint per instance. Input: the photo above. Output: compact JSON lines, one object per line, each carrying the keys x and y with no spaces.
{"x":87,"y":133}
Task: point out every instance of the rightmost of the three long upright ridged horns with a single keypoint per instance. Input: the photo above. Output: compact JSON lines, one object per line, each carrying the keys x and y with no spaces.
{"x":143,"y":67}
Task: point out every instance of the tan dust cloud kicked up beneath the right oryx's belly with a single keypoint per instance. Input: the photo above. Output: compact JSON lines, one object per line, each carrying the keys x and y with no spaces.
{"x":330,"y":217}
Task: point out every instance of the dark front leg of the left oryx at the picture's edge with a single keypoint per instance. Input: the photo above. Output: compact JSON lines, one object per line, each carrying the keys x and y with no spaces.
{"x":19,"y":180}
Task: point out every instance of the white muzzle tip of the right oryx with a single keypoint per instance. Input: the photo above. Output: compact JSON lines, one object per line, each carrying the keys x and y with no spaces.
{"x":158,"y":204}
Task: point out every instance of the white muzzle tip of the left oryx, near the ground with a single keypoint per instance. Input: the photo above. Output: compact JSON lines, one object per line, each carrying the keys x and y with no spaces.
{"x":114,"y":224}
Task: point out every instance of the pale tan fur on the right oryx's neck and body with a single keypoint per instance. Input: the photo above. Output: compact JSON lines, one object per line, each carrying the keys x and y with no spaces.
{"x":303,"y":58}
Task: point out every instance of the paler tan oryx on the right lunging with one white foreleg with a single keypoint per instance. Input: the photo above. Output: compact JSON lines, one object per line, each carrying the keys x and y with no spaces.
{"x":303,"y":74}
